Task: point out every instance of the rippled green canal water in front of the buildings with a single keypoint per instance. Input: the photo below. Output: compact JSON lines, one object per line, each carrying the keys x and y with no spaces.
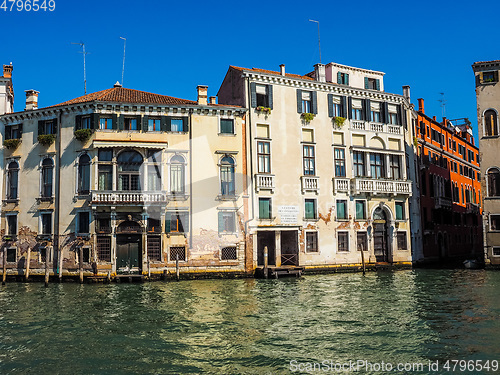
{"x":252,"y":326}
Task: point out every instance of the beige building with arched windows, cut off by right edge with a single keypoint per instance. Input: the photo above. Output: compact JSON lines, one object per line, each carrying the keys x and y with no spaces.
{"x":488,"y":106}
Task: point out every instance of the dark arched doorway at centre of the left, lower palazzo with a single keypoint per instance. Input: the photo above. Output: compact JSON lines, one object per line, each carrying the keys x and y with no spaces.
{"x":128,"y":247}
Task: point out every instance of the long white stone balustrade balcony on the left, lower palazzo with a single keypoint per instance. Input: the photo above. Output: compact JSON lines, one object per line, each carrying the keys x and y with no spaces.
{"x":128,"y":197}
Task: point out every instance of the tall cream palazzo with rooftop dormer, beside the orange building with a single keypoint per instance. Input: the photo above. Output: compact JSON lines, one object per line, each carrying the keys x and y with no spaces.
{"x":328,"y":156}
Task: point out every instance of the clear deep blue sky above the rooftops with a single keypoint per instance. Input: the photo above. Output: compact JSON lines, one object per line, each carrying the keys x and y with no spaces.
{"x":174,"y":46}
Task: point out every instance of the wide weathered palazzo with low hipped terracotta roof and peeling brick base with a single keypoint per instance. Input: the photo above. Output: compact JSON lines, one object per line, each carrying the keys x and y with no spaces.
{"x":124,"y":182}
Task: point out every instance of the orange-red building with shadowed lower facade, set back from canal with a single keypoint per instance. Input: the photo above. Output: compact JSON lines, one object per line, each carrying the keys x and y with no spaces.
{"x":450,"y":189}
